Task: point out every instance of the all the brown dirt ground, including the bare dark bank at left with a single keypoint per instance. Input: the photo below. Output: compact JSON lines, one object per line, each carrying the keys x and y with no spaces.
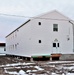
{"x":48,"y":69}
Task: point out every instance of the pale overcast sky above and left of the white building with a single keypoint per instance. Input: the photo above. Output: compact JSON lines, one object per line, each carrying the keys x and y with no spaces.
{"x":29,"y":8}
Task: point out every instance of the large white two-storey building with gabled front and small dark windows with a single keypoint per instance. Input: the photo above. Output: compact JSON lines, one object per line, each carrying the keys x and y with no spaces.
{"x":50,"y":33}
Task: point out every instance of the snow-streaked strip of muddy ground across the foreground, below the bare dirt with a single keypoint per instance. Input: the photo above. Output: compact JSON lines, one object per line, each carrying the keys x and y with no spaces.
{"x":54,"y":68}
